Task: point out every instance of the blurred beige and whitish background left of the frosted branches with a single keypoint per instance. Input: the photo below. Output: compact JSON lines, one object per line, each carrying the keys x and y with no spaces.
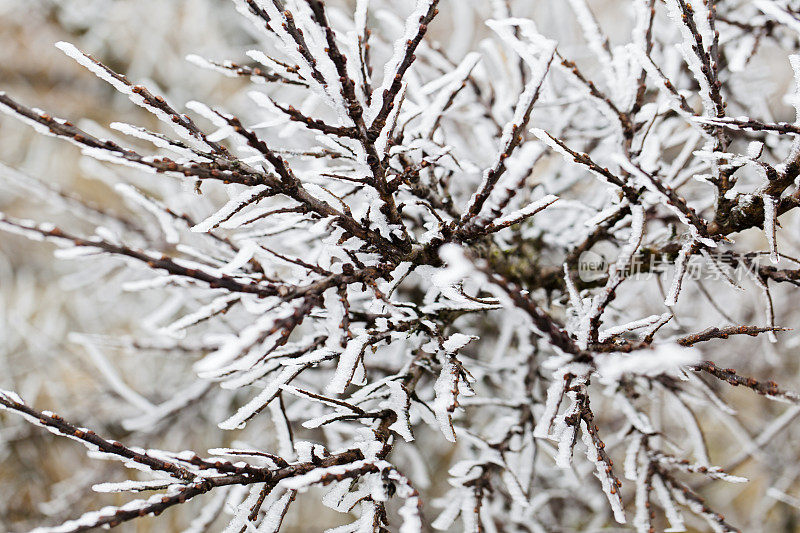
{"x":42,"y":299}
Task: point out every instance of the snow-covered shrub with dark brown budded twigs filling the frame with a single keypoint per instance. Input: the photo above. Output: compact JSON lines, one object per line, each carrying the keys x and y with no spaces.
{"x":482,"y":256}
